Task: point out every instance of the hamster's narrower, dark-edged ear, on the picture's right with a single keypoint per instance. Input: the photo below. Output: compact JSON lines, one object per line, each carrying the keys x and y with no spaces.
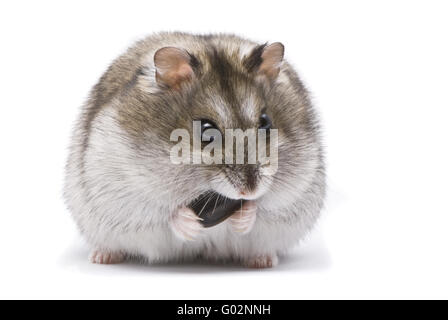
{"x":266,"y":60}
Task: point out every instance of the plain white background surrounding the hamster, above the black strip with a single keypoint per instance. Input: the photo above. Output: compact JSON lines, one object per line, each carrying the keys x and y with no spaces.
{"x":378,"y":71}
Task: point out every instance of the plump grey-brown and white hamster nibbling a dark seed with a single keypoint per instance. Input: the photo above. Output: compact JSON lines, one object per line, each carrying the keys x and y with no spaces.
{"x":129,"y":200}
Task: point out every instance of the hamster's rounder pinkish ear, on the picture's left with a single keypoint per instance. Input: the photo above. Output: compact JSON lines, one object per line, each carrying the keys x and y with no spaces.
{"x":173,"y":67}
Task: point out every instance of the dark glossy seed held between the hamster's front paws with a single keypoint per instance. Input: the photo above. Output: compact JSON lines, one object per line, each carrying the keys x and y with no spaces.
{"x":214,"y":208}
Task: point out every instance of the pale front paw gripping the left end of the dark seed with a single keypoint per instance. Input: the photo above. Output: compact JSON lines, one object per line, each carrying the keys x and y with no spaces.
{"x":186,"y":225}
